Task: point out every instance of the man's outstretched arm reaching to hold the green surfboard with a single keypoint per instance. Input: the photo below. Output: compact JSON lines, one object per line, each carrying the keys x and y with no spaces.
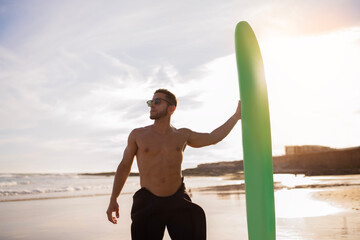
{"x":205,"y":139}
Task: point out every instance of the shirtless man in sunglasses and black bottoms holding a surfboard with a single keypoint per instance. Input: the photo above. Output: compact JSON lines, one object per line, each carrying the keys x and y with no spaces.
{"x":162,"y":200}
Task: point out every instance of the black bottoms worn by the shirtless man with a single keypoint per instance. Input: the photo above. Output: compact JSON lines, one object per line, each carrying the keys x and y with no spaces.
{"x":150,"y":215}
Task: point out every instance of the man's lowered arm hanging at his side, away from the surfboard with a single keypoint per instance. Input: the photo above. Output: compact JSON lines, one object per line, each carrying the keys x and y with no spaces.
{"x":122,"y":173}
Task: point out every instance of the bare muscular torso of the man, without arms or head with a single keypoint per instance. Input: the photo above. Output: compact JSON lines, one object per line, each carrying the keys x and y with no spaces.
{"x":159,"y":157}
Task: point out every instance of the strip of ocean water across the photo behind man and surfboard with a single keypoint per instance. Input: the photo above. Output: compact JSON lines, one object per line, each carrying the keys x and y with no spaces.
{"x":20,"y":187}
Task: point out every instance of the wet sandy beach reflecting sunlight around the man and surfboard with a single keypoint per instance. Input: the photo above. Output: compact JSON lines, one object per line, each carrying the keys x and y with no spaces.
{"x":313,"y":212}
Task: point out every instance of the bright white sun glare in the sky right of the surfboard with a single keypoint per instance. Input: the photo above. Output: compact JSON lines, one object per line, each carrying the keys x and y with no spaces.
{"x":312,"y":84}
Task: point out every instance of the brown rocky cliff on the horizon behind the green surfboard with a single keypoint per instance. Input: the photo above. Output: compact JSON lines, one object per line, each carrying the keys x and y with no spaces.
{"x":323,"y":161}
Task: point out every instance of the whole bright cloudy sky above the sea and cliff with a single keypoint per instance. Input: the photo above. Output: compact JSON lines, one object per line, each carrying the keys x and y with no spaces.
{"x":75,"y":76}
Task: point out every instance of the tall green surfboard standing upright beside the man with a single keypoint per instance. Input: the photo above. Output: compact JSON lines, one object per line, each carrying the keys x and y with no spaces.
{"x":258,"y":168}
